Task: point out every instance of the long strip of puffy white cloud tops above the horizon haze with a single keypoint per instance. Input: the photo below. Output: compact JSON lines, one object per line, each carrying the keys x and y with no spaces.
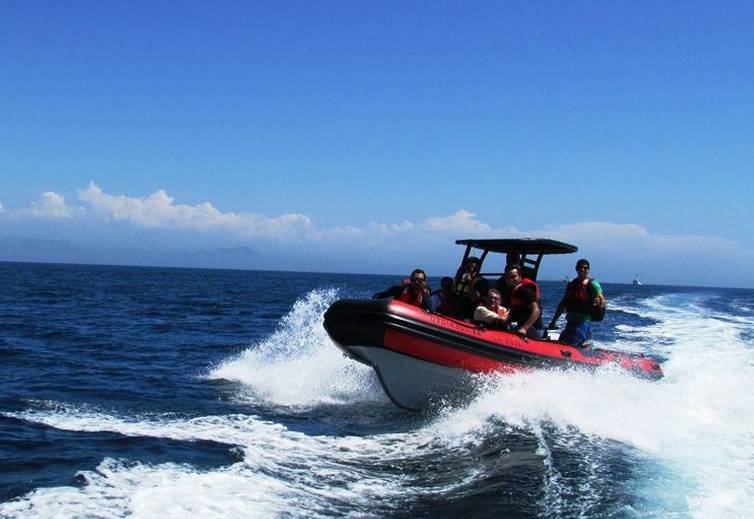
{"x":159,"y":210}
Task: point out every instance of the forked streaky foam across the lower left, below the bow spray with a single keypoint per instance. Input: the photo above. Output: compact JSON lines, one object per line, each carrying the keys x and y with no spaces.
{"x":281,"y":471}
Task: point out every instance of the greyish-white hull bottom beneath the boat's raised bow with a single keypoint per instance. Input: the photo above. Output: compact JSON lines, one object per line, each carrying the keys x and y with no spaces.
{"x":416,"y":384}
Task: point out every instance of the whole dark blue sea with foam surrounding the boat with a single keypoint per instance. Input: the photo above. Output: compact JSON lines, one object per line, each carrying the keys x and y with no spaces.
{"x":148,"y":392}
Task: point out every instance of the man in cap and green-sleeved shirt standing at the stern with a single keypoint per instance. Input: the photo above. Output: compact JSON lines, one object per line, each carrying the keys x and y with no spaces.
{"x":582,"y":296}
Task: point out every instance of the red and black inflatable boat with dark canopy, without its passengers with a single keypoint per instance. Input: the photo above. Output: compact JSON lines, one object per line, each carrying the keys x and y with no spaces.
{"x":422,"y":358}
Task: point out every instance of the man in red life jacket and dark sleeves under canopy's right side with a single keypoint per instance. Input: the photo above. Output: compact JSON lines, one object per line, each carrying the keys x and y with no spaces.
{"x":521,"y":295}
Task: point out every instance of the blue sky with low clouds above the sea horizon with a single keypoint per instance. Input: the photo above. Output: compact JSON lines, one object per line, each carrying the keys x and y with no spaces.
{"x":367,"y":136}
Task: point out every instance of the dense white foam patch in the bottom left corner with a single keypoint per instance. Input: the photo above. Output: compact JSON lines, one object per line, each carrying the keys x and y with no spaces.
{"x":167,"y":490}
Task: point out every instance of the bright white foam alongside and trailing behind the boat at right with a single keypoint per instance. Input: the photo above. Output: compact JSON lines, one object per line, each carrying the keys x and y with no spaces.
{"x":697,"y":421}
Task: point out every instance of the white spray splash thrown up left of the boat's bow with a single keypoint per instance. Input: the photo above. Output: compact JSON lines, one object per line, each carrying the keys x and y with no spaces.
{"x":299,"y":365}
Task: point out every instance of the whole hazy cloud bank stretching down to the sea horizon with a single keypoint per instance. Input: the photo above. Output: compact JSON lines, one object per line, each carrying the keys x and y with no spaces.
{"x":378,"y":246}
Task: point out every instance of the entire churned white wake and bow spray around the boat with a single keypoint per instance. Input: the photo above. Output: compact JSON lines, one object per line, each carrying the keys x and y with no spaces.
{"x":562,"y":443}
